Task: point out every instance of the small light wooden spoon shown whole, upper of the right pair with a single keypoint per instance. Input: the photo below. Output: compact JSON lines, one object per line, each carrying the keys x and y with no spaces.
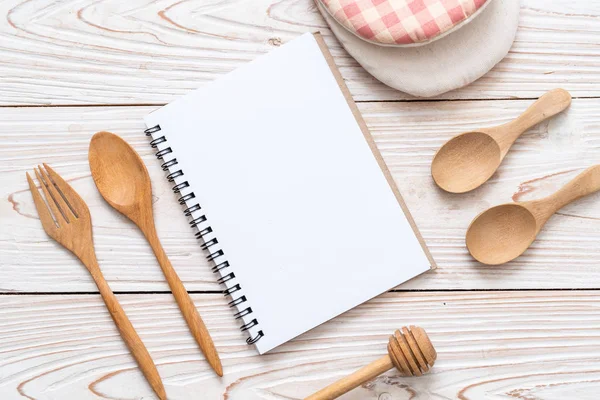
{"x":468,"y":160}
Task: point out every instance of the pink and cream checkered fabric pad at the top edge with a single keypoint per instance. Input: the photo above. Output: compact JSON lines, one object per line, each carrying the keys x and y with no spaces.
{"x":401,"y":22}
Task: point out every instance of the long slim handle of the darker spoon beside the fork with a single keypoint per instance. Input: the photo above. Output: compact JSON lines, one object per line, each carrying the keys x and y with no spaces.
{"x":186,"y":305}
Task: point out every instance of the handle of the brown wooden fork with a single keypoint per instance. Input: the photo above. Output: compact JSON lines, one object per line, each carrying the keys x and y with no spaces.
{"x":130,"y":336}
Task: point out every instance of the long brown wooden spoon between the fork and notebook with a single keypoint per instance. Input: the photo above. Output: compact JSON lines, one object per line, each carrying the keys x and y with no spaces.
{"x":123,"y":181}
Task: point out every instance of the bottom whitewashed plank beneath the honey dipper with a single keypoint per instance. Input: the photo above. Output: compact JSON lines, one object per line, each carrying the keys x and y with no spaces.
{"x":523,"y":345}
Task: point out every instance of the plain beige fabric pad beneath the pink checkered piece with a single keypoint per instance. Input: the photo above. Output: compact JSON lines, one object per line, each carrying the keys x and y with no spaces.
{"x":448,"y":63}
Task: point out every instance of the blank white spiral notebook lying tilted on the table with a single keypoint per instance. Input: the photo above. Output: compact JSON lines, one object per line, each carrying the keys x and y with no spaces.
{"x":287,"y":192}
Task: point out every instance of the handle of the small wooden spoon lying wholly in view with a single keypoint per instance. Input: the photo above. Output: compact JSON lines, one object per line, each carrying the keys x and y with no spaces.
{"x":550,"y":104}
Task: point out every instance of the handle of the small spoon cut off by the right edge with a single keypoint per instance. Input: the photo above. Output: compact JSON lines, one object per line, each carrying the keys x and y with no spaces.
{"x":583,"y":184}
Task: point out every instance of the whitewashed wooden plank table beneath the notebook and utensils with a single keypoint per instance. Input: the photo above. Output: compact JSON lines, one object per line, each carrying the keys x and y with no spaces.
{"x":526,"y":330}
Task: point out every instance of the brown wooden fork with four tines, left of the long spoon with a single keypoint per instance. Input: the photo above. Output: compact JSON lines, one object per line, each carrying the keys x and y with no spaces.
{"x":66,"y":218}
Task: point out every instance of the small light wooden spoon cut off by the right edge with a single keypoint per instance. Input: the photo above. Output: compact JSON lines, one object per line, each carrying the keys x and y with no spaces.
{"x":504,"y":232}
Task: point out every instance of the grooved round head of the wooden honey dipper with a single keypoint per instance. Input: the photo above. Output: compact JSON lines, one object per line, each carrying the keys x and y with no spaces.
{"x":411,"y":351}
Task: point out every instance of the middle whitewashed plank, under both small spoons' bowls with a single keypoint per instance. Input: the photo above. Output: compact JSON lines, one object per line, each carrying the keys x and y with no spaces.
{"x":565,"y":255}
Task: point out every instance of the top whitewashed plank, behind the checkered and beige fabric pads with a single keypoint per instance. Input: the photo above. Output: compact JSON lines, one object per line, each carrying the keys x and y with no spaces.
{"x":115,"y":52}
